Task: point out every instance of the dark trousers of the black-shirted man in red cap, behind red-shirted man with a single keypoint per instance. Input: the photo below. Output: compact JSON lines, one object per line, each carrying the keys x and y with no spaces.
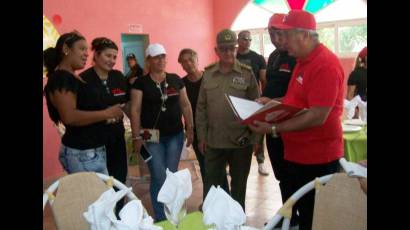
{"x":276,"y":155}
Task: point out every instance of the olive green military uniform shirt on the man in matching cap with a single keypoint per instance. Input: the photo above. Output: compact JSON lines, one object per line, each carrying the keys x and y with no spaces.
{"x":216,"y":122}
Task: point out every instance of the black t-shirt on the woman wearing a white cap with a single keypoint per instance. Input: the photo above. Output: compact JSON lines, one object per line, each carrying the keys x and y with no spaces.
{"x":169,"y":121}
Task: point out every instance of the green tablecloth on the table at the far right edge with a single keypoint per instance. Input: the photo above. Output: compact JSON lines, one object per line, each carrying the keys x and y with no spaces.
{"x":355,"y":144}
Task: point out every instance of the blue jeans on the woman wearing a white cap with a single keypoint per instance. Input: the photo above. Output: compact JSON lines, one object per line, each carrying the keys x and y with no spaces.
{"x":165,"y":154}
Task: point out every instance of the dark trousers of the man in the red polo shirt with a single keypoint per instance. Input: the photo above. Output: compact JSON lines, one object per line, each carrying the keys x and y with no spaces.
{"x":299,"y":175}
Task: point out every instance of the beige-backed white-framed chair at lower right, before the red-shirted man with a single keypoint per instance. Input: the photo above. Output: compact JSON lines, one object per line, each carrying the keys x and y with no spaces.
{"x":340,"y":204}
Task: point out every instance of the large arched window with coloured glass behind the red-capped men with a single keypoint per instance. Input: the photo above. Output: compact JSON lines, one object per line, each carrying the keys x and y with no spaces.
{"x":341,"y":24}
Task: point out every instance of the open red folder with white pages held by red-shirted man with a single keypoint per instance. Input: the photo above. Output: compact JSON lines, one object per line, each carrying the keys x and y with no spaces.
{"x":247,"y":111}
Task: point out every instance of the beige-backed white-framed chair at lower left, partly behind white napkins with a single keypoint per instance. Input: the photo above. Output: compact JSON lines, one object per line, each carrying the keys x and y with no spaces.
{"x":70,"y":196}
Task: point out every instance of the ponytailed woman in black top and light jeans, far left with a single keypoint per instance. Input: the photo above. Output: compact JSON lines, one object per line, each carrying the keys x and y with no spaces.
{"x":72,"y":102}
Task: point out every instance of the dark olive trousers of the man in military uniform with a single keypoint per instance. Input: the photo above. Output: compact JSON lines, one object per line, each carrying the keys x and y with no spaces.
{"x":239,"y":161}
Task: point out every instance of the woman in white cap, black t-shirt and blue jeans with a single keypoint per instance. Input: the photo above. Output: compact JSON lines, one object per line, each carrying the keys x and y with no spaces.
{"x":158,"y":101}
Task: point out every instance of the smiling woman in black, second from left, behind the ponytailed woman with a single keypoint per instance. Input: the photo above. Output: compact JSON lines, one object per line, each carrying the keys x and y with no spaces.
{"x":111,"y":85}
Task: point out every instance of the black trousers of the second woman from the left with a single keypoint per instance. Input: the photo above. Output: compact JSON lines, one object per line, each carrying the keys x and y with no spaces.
{"x":117,"y":161}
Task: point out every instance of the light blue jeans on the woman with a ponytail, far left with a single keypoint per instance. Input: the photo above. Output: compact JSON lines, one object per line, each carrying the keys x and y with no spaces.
{"x":87,"y":160}
